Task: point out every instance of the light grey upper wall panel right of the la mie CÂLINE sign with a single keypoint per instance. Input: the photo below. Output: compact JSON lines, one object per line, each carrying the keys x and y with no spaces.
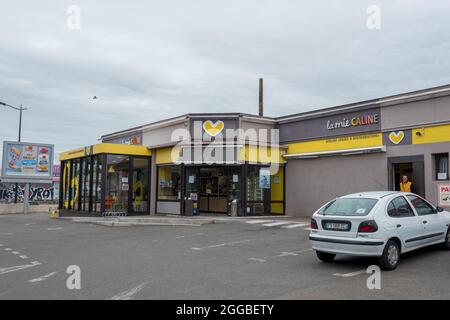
{"x":415,"y":113}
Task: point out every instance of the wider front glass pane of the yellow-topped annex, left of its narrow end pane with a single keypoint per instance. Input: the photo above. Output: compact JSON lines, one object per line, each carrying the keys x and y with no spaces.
{"x":117,"y":184}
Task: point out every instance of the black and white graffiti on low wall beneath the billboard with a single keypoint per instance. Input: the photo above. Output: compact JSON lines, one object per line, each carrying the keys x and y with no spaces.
{"x":37,"y":192}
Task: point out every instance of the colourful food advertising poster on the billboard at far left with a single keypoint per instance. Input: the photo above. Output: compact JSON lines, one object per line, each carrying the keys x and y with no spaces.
{"x":27,"y":162}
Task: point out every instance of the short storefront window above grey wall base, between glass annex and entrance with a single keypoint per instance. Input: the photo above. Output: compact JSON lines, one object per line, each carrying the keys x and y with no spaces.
{"x":169,"y":183}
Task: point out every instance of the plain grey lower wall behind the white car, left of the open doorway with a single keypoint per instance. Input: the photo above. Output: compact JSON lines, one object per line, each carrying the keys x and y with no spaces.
{"x":312,"y":182}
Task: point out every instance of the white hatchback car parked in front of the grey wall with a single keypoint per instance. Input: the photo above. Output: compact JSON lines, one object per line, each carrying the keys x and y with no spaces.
{"x":380,"y":224}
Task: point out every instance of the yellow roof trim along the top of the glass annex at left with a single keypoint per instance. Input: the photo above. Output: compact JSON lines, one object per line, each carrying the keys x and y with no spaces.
{"x":110,"y":148}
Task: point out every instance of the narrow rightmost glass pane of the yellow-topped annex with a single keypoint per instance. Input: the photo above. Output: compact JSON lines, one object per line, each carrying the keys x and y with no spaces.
{"x":140,"y":194}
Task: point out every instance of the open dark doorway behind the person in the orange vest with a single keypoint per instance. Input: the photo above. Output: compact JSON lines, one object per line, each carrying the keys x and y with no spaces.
{"x":412,"y":167}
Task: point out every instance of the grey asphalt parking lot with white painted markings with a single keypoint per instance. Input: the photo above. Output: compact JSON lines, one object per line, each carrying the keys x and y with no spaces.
{"x":239,"y":260}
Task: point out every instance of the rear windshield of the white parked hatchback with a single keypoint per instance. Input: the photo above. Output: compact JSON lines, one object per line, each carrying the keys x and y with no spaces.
{"x":349,"y":207}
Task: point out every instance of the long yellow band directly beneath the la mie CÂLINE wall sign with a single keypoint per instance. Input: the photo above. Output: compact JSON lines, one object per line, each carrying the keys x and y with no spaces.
{"x":337,"y":143}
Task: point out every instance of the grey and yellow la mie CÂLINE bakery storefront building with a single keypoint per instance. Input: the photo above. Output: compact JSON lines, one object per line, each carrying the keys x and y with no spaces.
{"x":292,"y":165}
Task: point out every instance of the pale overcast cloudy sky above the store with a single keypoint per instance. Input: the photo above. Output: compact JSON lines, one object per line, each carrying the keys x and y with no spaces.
{"x":149,"y":60}
